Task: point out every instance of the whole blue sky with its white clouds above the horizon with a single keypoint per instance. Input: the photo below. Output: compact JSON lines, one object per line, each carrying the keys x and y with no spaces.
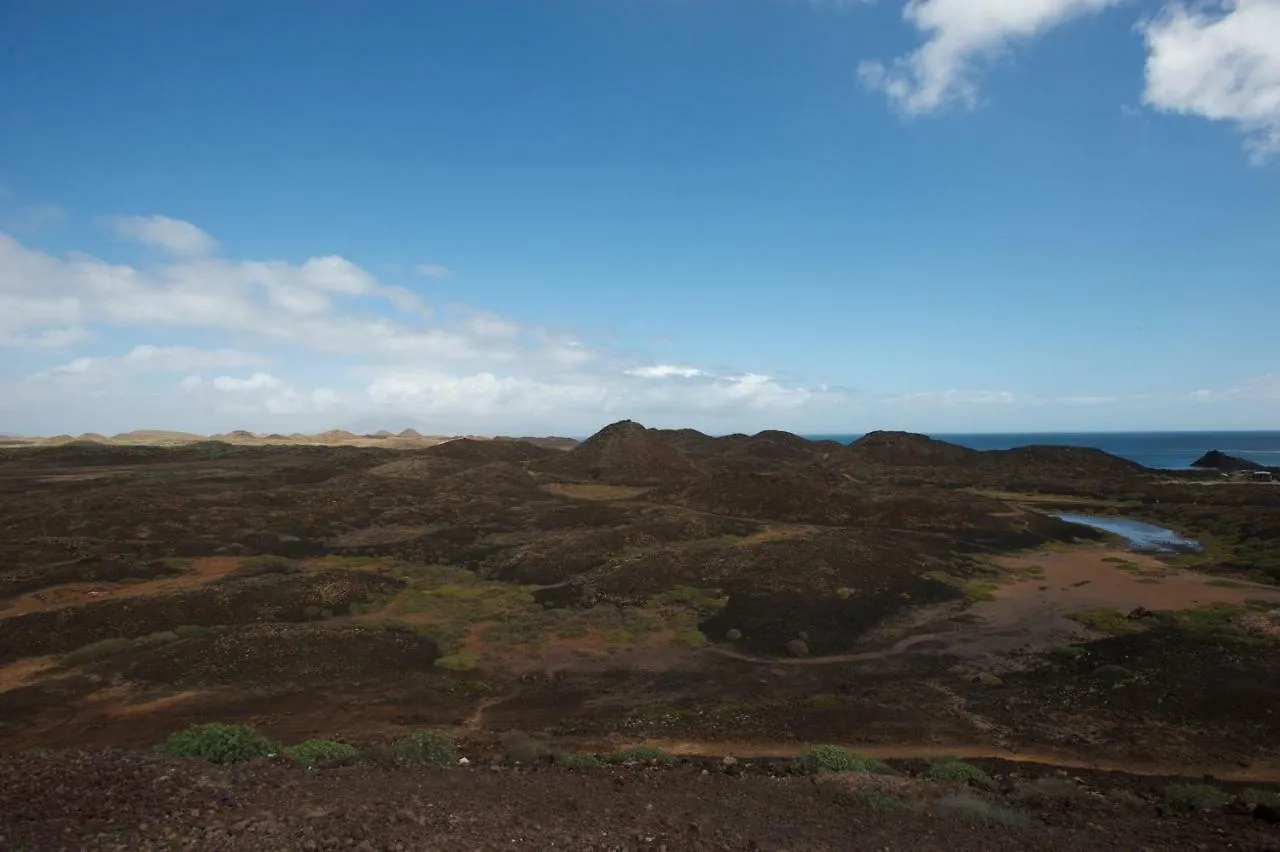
{"x":541,"y":217}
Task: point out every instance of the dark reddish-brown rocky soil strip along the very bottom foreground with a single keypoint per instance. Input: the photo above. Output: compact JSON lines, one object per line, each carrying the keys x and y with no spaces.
{"x":134,"y":801}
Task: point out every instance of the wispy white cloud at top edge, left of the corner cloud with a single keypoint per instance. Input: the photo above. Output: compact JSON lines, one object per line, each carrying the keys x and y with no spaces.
{"x":959,"y":34}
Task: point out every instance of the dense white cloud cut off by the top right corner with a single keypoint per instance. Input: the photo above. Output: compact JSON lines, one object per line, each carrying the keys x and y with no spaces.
{"x":1219,"y":61}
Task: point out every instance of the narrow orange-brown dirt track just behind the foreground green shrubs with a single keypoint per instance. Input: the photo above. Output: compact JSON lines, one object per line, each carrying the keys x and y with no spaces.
{"x":1263,"y":773}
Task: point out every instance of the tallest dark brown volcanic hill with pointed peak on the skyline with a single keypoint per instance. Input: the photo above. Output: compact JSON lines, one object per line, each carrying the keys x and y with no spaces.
{"x":625,"y":454}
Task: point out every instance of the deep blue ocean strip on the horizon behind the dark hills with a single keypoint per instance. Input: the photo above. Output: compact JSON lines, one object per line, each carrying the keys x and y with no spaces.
{"x":1165,"y":451}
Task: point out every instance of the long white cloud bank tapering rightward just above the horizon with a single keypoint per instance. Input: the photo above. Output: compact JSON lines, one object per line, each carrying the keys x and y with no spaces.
{"x":194,"y":341}
